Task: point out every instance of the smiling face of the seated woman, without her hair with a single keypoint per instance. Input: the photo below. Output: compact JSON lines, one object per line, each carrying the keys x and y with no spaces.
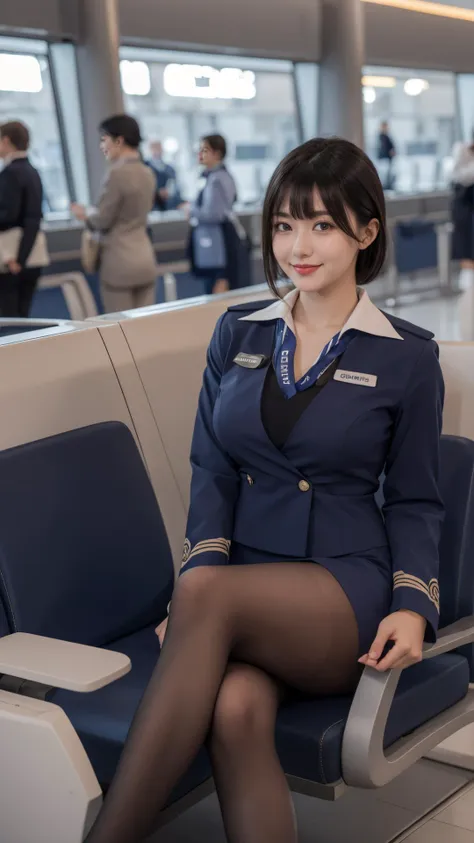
{"x":313,"y":252}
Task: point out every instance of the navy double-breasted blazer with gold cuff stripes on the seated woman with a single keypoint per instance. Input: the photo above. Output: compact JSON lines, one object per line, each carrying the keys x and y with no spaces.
{"x":315,"y":496}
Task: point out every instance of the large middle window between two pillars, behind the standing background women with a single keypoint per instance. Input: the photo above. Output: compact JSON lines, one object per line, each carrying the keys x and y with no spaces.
{"x":177,"y":97}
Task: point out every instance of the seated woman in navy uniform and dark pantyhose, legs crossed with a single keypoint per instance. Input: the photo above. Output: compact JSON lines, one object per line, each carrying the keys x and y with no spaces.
{"x":291,"y":577}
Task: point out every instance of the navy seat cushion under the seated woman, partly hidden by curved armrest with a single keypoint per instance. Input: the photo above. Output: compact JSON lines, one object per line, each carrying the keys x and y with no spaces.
{"x":309,"y":732}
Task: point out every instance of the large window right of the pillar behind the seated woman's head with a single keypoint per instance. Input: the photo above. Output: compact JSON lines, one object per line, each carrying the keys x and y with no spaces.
{"x":420,"y":108}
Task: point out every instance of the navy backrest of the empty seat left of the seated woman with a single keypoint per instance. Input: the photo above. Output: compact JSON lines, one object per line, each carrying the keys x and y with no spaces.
{"x":84,"y":555}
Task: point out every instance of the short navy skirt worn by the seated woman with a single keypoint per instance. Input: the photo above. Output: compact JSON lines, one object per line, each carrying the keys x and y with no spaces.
{"x":366,"y":579}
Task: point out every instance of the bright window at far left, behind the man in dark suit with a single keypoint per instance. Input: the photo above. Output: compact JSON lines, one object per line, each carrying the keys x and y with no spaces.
{"x":26,"y":94}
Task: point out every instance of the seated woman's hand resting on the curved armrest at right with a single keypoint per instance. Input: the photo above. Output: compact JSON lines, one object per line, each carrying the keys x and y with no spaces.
{"x":406,"y":629}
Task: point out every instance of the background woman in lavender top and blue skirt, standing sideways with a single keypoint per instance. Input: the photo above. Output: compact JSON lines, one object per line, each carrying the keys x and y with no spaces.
{"x":214,"y":245}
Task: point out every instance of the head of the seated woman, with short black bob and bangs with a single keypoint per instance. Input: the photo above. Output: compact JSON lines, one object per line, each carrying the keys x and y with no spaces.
{"x":323,"y":220}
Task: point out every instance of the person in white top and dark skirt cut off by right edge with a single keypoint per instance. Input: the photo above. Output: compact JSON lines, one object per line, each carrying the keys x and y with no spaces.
{"x":463,"y":211}
